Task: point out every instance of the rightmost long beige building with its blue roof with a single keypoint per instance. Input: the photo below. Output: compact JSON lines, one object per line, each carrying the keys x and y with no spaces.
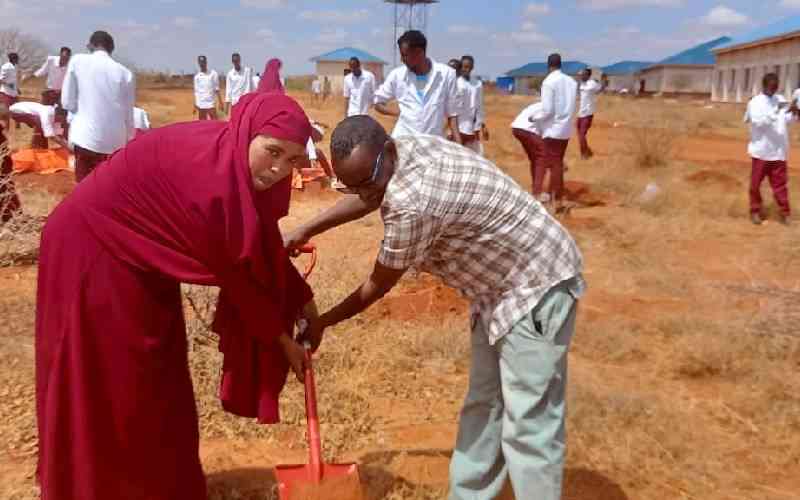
{"x":742,"y":62}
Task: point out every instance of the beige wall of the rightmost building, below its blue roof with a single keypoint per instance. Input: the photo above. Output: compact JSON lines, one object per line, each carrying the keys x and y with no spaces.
{"x":741,"y":70}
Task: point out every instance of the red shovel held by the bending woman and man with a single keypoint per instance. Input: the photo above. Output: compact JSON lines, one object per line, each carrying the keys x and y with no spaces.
{"x":316,"y":480}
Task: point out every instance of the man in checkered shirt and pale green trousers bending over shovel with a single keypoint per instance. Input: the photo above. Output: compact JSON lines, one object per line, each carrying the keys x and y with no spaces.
{"x":454,"y":214}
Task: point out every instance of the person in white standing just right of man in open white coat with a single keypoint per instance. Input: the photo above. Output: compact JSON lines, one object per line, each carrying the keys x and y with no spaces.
{"x":471,"y":118}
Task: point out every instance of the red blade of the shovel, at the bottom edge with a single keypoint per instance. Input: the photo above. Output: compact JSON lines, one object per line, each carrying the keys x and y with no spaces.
{"x":339,"y":482}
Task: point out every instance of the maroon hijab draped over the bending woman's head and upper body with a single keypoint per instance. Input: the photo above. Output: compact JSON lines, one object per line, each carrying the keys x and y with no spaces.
{"x":179,"y":202}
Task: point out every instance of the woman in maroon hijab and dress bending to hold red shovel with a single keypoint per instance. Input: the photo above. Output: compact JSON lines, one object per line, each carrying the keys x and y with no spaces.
{"x":194,"y":203}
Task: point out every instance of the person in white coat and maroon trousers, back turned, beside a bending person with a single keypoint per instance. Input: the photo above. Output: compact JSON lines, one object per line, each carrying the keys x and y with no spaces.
{"x":559,"y":93}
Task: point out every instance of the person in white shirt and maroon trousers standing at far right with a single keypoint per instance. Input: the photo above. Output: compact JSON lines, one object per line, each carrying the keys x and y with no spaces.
{"x":769,"y":114}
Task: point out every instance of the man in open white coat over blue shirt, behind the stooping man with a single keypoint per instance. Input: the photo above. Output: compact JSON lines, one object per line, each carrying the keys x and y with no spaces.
{"x":425,"y":92}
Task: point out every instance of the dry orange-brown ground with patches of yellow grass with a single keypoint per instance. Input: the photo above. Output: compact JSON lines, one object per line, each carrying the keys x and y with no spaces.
{"x":684,"y":368}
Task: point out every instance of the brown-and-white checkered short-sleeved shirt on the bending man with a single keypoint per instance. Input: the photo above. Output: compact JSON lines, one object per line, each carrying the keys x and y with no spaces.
{"x":454,"y":214}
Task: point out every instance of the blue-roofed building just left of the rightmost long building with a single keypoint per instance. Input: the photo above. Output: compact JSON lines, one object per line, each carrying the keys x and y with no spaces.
{"x":688,"y":72}
